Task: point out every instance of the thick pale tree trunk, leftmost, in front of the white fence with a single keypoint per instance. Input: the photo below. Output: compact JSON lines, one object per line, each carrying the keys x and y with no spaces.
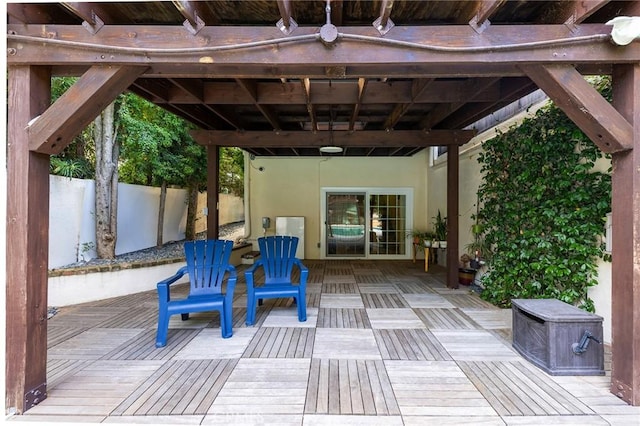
{"x":107,"y":151}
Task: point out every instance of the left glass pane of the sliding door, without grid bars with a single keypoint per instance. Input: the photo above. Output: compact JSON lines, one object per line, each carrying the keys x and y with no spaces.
{"x":345,"y":224}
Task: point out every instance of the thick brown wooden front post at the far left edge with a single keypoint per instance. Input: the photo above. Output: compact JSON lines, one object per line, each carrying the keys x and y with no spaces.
{"x":27,"y":258}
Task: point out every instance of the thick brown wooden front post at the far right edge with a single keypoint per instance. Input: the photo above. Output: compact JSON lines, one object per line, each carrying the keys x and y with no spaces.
{"x":625,"y":375}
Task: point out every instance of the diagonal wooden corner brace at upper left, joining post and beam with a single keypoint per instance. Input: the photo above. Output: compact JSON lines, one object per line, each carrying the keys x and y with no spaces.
{"x":52,"y":131}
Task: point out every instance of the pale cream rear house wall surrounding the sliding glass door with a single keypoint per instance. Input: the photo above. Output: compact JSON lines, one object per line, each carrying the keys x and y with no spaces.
{"x":291,"y":187}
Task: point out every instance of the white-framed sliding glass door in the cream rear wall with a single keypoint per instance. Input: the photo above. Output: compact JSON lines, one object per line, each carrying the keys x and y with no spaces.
{"x":367,"y":223}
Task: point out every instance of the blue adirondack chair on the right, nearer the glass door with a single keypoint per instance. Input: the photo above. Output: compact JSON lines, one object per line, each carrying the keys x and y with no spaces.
{"x":277,"y":258}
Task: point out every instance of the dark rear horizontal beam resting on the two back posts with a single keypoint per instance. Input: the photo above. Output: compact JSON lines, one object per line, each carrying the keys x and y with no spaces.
{"x":305,"y":139}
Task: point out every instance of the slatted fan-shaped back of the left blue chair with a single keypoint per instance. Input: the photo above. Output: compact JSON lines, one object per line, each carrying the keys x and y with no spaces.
{"x":207,"y":262}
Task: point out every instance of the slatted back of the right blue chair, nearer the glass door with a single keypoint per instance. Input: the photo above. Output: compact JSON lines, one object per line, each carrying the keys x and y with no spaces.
{"x":278,"y":254}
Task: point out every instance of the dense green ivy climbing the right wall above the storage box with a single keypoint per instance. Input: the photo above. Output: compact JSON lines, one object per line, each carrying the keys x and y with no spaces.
{"x":543,"y":207}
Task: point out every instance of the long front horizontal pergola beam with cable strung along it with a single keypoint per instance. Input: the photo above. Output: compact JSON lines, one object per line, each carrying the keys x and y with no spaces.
{"x":589,"y":43}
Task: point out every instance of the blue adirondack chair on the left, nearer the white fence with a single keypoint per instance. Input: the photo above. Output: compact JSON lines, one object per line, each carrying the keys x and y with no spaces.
{"x":207,"y":263}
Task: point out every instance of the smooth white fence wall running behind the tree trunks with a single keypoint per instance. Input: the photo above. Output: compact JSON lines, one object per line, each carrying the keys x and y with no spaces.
{"x":72,"y":218}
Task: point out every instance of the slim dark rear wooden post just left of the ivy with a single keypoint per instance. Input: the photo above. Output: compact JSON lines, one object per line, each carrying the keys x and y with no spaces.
{"x":453,"y":166}
